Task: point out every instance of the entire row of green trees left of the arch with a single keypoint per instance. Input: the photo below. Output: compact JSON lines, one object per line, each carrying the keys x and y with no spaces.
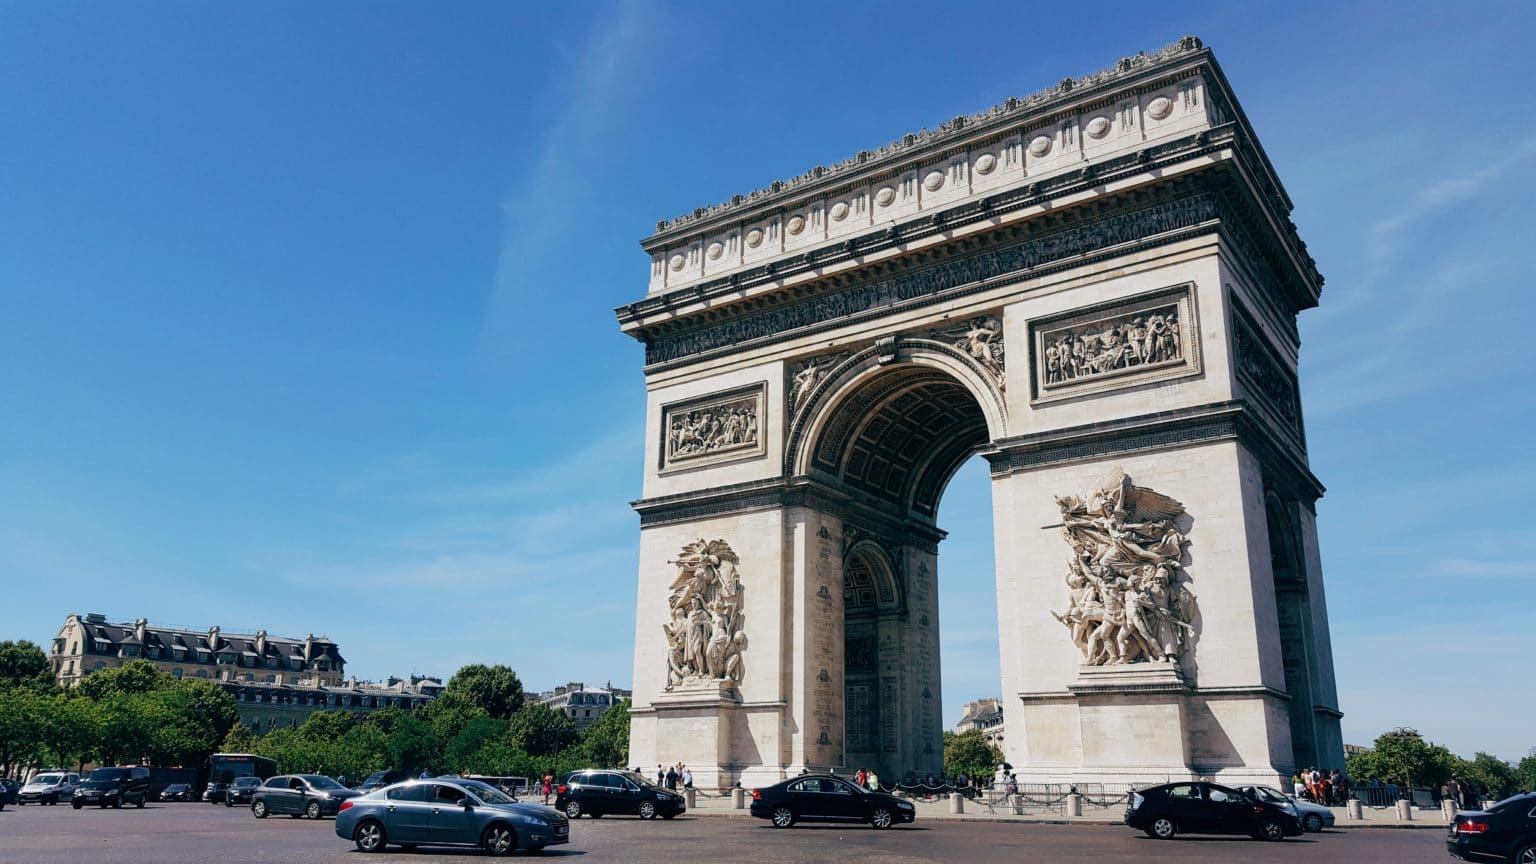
{"x":480,"y":725}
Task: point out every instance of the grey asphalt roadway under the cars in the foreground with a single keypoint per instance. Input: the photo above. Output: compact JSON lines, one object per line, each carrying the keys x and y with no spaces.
{"x":190,"y":834}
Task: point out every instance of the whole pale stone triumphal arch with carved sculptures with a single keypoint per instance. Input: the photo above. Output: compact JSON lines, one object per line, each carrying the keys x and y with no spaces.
{"x":1097,"y":290}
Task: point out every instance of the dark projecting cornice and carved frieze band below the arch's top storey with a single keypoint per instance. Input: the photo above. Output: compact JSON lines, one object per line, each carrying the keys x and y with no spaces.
{"x":1220,"y":198}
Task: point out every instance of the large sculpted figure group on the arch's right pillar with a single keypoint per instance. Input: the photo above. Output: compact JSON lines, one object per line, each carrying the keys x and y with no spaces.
{"x":1128,"y":602}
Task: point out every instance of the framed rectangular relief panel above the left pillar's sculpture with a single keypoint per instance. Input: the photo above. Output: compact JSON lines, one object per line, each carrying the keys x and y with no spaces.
{"x":718,"y":428}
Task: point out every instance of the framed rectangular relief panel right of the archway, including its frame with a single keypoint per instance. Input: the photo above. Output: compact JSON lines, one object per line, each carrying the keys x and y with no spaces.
{"x":1131,"y":342}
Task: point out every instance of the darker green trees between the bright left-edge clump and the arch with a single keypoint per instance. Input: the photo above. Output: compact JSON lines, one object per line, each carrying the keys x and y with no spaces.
{"x":480,"y":725}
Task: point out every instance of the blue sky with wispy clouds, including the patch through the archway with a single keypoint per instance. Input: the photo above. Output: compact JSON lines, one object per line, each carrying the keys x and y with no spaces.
{"x":306,"y":308}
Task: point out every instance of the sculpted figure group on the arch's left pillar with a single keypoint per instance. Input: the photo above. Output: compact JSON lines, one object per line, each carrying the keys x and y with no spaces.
{"x":704,"y":636}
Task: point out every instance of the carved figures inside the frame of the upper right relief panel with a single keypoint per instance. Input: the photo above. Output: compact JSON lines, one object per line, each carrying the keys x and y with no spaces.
{"x":1114,"y":345}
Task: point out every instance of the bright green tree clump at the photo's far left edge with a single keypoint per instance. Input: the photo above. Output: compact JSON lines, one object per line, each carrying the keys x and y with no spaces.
{"x":118,"y":716}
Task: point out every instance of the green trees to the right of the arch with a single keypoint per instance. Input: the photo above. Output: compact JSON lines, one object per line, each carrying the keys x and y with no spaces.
{"x":1405,"y":759}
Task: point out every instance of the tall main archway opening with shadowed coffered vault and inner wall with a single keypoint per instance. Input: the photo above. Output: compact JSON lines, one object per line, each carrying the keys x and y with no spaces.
{"x":893,"y":442}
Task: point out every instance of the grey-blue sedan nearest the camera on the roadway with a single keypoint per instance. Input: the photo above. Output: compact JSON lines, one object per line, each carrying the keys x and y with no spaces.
{"x":449,"y":812}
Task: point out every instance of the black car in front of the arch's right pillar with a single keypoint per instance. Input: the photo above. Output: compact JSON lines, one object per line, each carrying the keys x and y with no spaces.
{"x":1207,"y":808}
